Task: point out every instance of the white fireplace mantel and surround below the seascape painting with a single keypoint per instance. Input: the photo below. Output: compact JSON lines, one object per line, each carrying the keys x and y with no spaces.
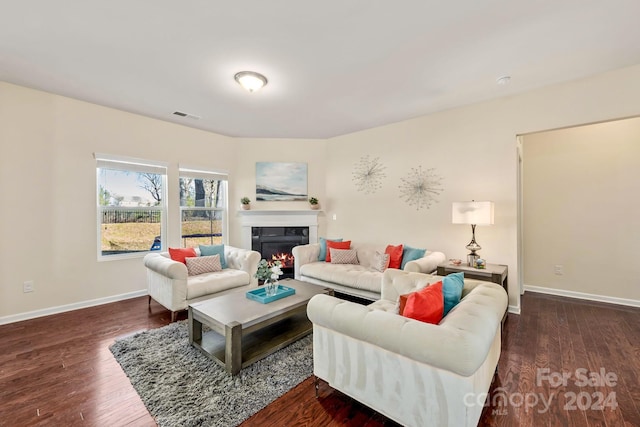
{"x":274,"y":218}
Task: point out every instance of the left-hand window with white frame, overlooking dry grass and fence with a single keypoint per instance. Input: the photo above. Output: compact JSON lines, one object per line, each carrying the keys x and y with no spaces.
{"x":131,"y":206}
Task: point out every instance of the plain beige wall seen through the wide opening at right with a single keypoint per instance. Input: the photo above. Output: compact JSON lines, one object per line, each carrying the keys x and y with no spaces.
{"x":582,"y":209}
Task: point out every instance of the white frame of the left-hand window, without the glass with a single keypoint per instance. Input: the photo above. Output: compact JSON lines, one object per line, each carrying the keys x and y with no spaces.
{"x":131,"y":164}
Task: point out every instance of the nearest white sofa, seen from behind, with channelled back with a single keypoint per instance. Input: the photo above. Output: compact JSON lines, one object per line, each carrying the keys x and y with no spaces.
{"x":414,"y":373}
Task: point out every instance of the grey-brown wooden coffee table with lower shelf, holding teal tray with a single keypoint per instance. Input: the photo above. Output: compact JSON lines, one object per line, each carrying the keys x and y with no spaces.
{"x":244,"y":331}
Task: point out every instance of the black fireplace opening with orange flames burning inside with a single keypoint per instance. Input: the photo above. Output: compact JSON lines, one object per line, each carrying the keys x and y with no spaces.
{"x":276,"y":243}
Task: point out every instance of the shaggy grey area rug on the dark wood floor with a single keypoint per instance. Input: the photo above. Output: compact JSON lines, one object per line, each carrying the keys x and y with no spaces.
{"x":182,"y":387}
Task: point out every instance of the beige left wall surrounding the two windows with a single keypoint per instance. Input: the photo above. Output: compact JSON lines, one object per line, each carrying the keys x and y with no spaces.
{"x":47,"y":188}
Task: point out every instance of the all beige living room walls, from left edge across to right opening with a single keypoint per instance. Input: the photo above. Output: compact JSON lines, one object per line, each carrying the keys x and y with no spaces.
{"x":46,"y":164}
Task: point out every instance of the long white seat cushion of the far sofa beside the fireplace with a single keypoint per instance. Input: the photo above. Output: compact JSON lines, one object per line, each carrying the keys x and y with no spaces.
{"x":350,"y":275}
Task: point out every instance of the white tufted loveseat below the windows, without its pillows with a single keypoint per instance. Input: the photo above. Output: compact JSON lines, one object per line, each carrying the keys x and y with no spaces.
{"x":169,"y":284}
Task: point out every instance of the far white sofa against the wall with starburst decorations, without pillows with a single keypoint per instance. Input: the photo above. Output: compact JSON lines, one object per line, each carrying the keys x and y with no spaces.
{"x":360,"y":280}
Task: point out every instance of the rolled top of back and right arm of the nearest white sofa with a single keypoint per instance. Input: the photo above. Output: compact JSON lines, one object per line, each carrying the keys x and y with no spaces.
{"x":460,"y":343}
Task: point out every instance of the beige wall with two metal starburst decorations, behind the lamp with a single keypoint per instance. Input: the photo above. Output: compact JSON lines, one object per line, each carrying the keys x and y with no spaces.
{"x":475,"y":150}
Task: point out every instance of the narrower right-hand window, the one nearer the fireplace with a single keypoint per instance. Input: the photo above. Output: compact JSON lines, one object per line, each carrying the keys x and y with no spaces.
{"x":203,"y":207}
